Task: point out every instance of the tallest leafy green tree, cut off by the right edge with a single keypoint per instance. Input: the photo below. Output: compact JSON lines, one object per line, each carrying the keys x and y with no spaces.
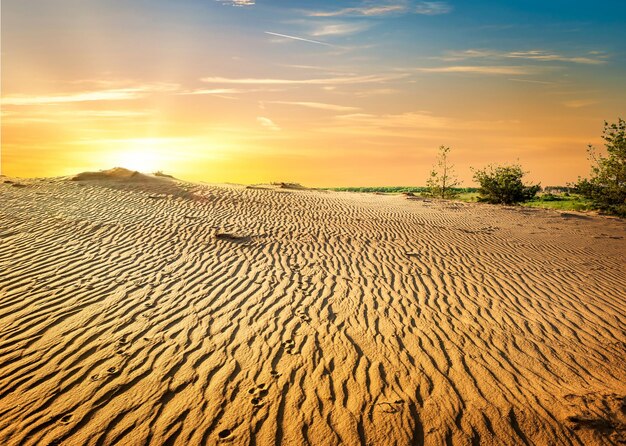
{"x":607,"y":185}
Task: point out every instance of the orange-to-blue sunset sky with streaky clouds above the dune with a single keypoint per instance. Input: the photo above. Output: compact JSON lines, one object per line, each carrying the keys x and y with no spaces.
{"x":351,"y":93}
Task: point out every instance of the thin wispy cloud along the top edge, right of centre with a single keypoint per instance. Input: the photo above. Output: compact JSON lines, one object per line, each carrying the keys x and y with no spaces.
{"x":391,"y":8}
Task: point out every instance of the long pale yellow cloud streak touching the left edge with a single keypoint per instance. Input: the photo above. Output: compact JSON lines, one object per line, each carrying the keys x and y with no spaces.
{"x":119,"y":94}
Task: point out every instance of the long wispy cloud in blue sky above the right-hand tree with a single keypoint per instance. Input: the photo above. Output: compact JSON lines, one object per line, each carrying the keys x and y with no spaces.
{"x":591,"y":58}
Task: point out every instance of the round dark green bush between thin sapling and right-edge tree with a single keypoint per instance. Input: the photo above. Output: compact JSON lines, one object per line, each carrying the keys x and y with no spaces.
{"x":504,"y":185}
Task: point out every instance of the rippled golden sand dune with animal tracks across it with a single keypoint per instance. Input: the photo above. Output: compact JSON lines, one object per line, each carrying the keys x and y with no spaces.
{"x":154,"y":311}
